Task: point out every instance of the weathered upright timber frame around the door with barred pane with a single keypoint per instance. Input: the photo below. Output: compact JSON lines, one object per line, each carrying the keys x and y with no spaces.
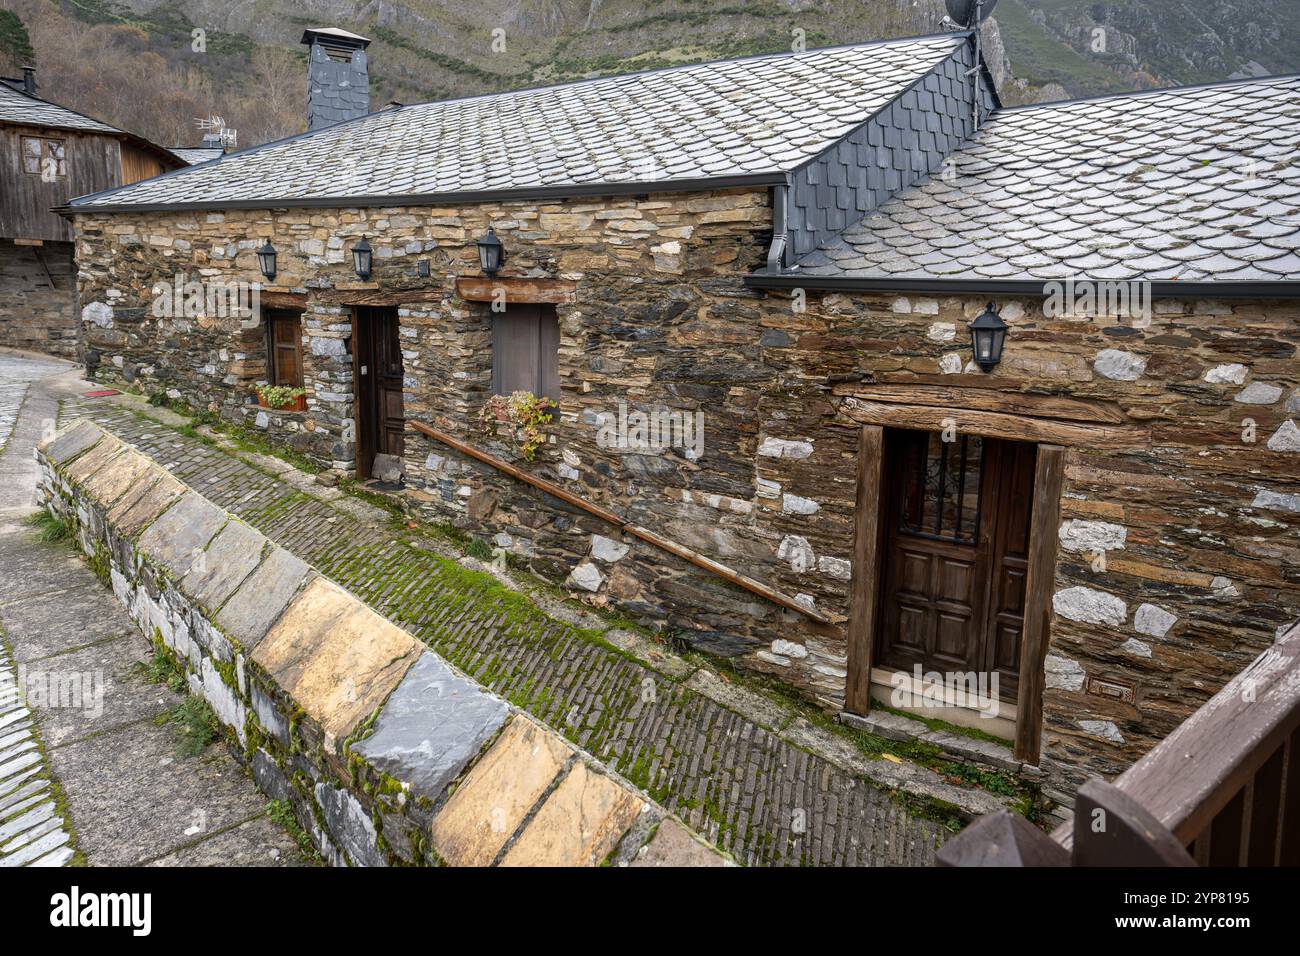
{"x":868,"y":572}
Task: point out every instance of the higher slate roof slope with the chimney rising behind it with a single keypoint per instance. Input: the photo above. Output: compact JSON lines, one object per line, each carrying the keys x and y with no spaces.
{"x":751,"y":118}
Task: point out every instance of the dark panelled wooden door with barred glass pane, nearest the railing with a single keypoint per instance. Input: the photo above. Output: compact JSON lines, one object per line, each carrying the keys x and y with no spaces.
{"x":956,"y":544}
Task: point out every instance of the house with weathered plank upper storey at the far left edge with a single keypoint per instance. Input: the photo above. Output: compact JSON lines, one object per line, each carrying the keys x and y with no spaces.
{"x":50,"y":154}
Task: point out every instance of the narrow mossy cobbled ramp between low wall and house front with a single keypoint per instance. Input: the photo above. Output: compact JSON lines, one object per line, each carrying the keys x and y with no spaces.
{"x":753,"y":793}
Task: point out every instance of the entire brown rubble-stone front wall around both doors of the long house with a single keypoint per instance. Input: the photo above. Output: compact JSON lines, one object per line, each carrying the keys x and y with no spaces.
{"x":1197,"y":521}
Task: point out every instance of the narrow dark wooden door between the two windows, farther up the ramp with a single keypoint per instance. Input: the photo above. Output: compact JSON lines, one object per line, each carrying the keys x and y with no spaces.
{"x":379,"y":377}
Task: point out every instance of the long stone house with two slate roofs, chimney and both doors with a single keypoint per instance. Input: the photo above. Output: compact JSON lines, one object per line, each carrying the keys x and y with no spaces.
{"x":1098,"y":520}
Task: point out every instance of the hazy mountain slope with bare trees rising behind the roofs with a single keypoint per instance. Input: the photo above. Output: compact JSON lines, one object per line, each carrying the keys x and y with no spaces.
{"x":137,"y":63}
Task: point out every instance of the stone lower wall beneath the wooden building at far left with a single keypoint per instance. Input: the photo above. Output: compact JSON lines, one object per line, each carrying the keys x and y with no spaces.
{"x":38,"y":299}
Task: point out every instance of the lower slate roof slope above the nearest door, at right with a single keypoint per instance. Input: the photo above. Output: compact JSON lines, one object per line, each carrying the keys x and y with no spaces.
{"x":1191,"y":185}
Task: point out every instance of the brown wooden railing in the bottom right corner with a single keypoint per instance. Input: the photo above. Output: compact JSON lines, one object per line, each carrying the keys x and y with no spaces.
{"x":1223,"y":790}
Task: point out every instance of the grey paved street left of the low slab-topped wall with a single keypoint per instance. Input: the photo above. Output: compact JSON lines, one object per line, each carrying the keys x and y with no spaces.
{"x":89,"y":728}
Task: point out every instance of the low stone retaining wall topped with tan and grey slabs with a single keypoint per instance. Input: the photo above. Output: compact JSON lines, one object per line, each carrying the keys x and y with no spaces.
{"x":387,"y":755}
